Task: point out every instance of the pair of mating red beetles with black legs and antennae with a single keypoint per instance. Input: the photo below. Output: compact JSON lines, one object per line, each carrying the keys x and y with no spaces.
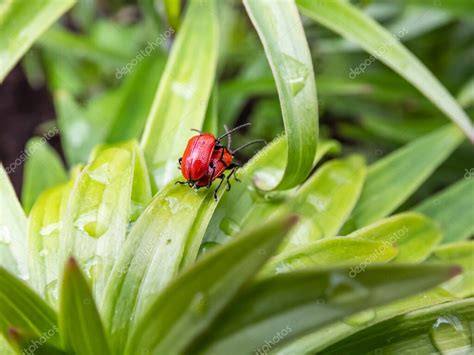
{"x":218,"y":161}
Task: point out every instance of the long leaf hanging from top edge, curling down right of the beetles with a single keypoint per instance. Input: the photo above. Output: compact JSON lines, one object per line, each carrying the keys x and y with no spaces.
{"x":279,"y":27}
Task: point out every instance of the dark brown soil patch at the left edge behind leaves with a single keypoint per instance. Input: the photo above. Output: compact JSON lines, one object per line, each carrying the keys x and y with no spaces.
{"x":22,"y":109}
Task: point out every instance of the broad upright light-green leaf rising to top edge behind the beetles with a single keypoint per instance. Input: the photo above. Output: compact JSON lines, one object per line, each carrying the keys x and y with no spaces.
{"x":181,"y":100}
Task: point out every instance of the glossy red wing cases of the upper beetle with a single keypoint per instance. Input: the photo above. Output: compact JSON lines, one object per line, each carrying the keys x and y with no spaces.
{"x":197,"y":156}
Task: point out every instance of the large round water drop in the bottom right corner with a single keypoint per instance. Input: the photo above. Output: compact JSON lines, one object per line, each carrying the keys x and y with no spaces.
{"x":449,"y":334}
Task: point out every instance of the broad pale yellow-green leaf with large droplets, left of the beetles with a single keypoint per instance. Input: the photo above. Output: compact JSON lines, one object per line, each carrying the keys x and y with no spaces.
{"x":97,"y":216}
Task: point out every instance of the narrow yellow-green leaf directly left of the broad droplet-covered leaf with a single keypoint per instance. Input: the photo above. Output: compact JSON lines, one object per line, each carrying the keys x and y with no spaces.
{"x":44,"y":227}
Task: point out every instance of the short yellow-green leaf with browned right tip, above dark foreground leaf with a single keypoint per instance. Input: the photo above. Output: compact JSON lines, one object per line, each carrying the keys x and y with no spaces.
{"x":330,"y":252}
